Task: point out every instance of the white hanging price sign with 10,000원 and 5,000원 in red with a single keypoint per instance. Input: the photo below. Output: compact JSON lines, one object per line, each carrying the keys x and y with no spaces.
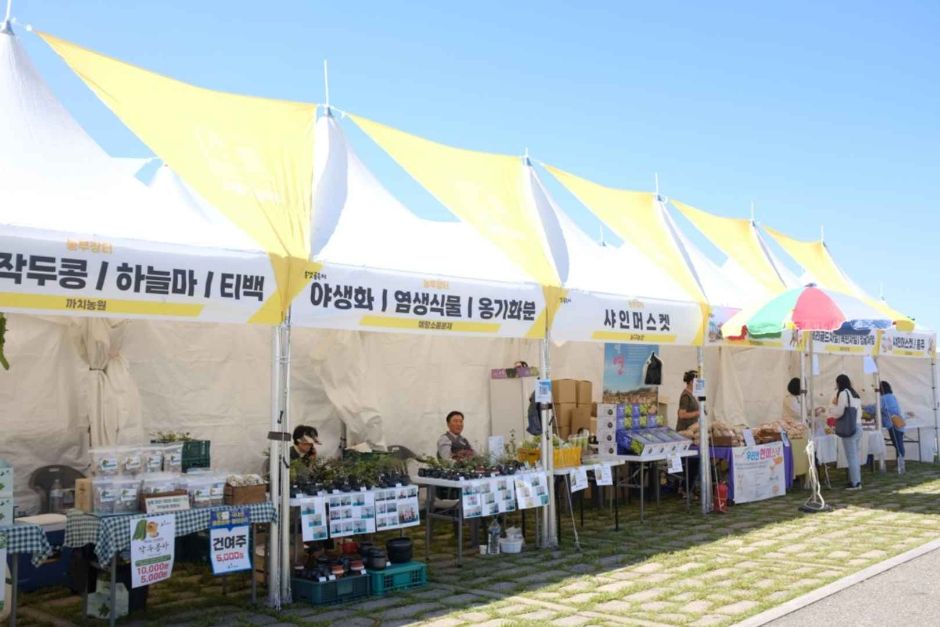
{"x":153,"y":548}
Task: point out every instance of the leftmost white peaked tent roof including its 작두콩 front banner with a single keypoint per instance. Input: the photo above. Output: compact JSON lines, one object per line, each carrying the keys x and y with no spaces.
{"x":72,"y":209}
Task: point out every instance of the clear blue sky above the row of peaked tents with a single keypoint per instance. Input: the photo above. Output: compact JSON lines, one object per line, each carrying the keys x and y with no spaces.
{"x":819,"y":113}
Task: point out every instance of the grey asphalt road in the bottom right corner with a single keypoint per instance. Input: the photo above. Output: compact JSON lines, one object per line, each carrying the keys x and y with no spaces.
{"x":908,"y":594}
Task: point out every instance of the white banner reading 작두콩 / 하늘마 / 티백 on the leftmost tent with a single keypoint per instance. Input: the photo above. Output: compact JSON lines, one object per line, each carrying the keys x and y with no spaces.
{"x":84,"y":276}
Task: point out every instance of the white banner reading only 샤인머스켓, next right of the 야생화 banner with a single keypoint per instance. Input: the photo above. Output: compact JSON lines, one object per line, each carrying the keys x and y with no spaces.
{"x":591,"y":317}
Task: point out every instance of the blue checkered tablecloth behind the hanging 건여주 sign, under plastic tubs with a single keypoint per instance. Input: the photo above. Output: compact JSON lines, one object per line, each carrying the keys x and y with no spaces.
{"x":111,"y":534}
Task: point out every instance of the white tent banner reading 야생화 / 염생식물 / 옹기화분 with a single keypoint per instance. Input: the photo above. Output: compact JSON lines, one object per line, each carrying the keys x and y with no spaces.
{"x":342,"y":297}
